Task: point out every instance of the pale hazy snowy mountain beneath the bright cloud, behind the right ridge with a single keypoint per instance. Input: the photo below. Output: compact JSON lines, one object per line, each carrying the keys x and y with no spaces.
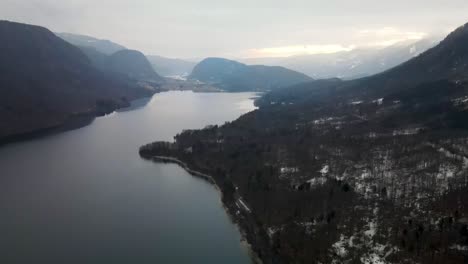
{"x":353,"y":64}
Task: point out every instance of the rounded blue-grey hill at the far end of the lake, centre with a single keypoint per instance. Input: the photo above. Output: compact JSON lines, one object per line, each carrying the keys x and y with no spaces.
{"x":234,"y":76}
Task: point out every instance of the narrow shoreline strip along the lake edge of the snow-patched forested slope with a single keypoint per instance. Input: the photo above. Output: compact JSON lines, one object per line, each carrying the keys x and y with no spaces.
{"x":236,"y":221}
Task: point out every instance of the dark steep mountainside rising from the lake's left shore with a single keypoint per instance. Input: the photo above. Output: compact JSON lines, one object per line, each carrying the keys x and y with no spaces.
{"x":45,"y":82}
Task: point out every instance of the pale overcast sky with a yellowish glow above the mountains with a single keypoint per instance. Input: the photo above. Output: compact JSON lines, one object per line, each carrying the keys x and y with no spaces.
{"x":242,"y":28}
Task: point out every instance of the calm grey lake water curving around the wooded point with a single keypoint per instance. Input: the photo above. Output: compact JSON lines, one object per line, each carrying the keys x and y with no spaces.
{"x":85,"y":196}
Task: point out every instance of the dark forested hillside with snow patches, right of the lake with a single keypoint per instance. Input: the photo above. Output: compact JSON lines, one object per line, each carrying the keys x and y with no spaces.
{"x":367,"y":171}
